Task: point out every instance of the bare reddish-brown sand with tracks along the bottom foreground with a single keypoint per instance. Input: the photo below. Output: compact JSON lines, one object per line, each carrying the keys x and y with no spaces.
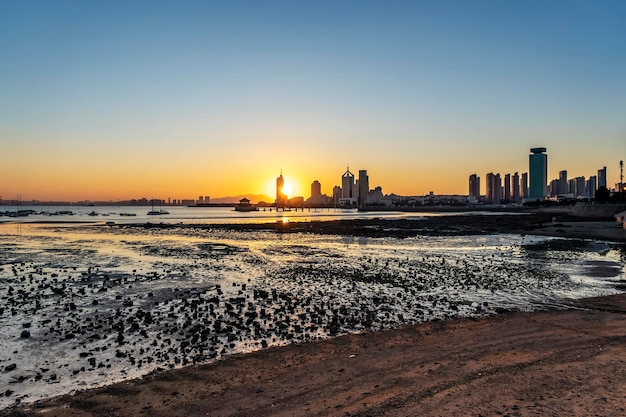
{"x":558,"y":363}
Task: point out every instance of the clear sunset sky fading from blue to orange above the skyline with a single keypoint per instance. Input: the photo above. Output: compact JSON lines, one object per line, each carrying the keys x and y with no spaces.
{"x":126,"y":99}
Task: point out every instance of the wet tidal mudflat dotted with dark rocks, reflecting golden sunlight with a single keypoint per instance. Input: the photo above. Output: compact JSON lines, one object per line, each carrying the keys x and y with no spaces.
{"x":84,"y":306}
